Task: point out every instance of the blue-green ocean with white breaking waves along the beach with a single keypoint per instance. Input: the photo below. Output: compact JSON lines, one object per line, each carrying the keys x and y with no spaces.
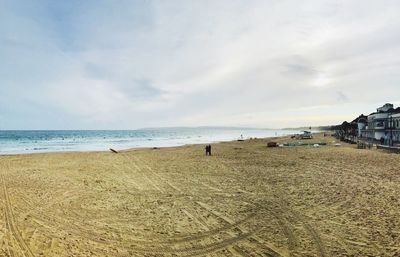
{"x":34,"y":141}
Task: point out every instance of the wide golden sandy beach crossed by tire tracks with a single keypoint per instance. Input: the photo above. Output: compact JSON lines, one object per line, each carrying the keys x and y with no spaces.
{"x":245,"y":200}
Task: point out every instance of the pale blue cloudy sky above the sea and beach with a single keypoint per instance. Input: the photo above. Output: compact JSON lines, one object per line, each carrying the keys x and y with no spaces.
{"x":117,"y":64}
